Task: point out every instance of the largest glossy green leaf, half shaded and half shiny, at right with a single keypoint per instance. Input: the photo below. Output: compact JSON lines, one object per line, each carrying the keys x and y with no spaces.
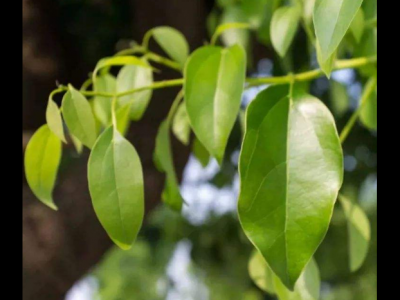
{"x":291,"y":169}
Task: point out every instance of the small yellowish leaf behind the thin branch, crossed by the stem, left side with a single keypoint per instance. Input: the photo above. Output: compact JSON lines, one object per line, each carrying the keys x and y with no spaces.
{"x":102,"y":105}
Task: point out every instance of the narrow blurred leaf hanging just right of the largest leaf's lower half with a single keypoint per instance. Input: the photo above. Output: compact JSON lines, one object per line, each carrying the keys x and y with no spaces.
{"x":359,"y":229}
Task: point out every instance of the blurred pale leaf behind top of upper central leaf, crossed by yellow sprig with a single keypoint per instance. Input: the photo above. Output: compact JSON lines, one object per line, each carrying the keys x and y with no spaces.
{"x":233,"y":29}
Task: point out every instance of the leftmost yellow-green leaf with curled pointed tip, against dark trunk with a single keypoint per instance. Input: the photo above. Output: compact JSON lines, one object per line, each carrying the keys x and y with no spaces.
{"x":42,"y":159}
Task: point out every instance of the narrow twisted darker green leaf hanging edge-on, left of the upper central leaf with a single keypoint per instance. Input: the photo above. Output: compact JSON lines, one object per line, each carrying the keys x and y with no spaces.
{"x":164,"y":162}
